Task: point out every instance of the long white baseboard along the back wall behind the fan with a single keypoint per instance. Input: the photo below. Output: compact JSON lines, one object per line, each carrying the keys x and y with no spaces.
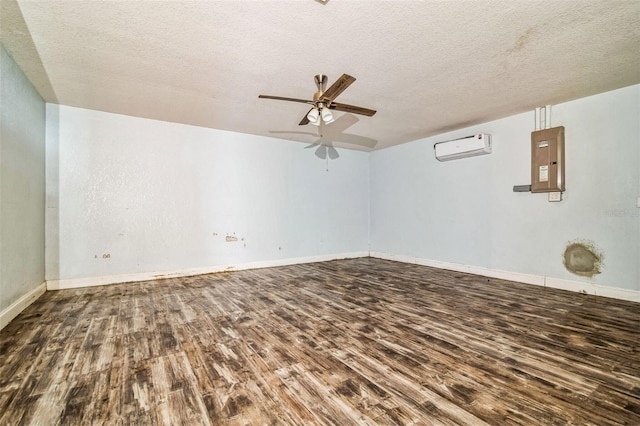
{"x":146,"y":276}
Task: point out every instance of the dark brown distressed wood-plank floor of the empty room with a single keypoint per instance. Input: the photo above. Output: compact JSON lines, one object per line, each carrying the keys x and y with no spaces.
{"x":360,"y":341}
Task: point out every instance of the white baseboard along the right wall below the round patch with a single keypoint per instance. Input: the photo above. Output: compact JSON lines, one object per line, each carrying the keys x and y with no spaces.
{"x":577,"y":286}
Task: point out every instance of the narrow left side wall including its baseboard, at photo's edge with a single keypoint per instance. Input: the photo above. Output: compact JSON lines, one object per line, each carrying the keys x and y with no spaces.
{"x":22,"y":186}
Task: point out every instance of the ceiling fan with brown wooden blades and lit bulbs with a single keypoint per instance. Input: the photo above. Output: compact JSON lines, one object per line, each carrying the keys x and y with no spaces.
{"x":323,"y":101}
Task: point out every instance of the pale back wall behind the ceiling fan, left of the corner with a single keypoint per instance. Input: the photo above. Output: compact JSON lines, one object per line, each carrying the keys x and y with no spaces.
{"x":134,"y":196}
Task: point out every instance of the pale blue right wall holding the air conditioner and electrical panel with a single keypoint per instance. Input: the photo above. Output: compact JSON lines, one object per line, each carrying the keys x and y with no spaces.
{"x":464,"y":212}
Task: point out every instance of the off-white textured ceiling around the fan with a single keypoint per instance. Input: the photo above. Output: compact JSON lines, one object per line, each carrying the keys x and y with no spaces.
{"x":426,"y":66}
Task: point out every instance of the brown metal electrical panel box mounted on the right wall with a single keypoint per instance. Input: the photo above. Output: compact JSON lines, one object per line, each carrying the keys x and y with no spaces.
{"x":547,"y":160}
